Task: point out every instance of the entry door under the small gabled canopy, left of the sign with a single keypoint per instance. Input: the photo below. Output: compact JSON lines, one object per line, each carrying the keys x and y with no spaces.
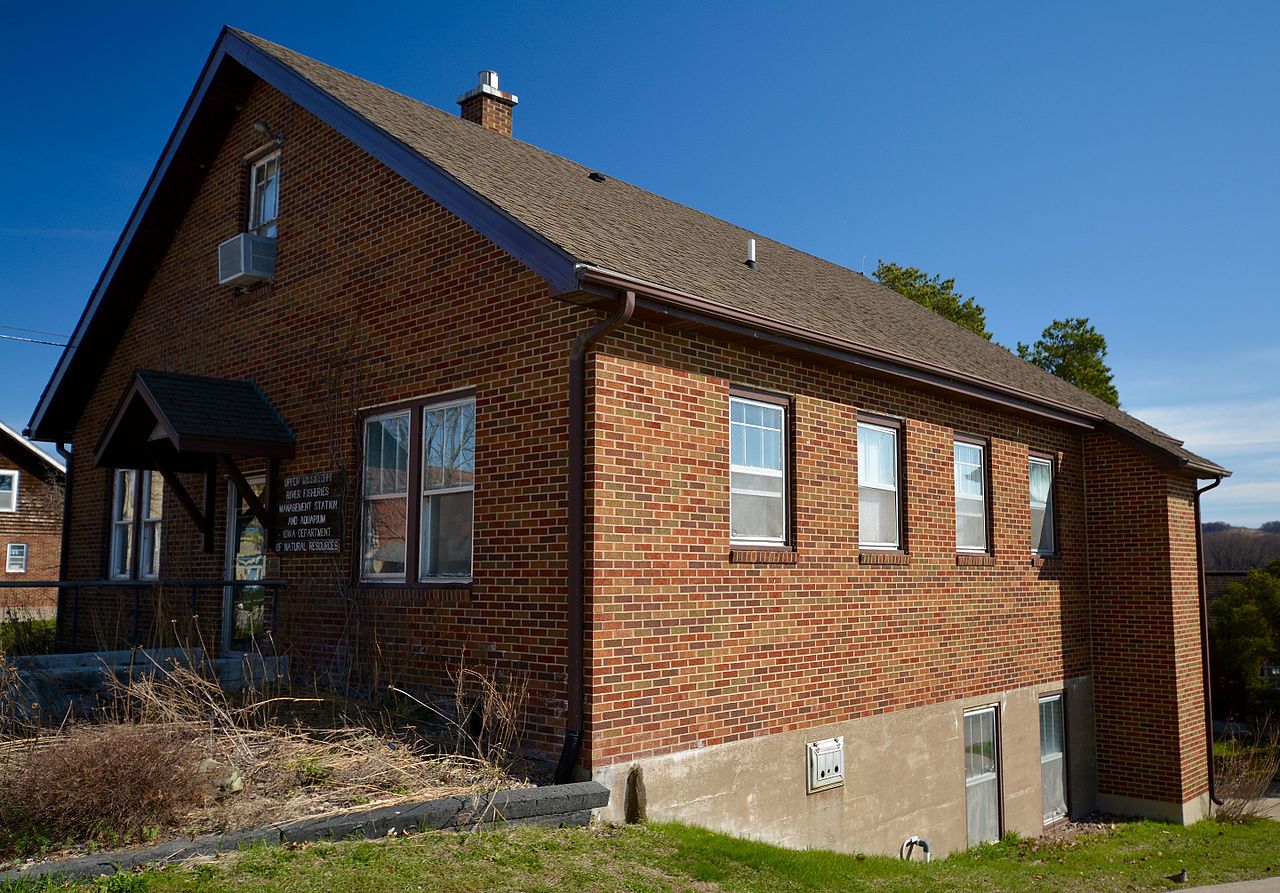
{"x":244,"y":607}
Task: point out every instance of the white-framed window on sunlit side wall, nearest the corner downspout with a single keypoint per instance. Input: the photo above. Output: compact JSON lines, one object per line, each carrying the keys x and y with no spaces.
{"x":758,"y":471}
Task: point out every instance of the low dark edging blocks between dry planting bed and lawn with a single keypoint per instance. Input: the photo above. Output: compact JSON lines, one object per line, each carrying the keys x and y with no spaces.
{"x":551,"y":808}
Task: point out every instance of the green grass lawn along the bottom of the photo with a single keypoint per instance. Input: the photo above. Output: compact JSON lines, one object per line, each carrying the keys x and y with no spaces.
{"x":1136,"y":857}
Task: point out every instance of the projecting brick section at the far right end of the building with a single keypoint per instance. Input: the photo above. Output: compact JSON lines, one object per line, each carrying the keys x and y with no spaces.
{"x":1149,"y":690}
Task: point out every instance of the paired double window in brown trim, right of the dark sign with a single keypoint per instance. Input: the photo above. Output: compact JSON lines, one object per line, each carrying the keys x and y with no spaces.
{"x":418,"y":493}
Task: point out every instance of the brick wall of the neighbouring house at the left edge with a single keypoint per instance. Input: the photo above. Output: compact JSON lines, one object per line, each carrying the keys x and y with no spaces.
{"x":38,"y":523}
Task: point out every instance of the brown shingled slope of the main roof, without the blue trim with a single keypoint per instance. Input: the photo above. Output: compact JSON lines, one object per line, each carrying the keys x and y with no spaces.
{"x":627,"y":230}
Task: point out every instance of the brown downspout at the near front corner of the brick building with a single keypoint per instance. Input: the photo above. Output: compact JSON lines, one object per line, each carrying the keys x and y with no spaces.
{"x":575,"y":697}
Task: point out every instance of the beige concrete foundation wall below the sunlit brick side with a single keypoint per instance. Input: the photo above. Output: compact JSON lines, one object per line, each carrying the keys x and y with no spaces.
{"x":904,"y":776}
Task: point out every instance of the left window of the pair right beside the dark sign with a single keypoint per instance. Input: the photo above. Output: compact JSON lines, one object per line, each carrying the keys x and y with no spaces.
{"x":386,"y":497}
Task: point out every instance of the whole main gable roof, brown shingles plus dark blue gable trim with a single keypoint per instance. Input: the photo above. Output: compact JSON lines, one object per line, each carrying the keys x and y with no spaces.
{"x":582,"y":233}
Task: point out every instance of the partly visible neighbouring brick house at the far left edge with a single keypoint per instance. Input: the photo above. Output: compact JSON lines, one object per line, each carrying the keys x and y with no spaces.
{"x":31,"y":525}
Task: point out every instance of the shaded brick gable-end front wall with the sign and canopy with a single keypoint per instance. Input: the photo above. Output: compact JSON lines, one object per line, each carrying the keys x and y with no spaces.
{"x":381,"y":296}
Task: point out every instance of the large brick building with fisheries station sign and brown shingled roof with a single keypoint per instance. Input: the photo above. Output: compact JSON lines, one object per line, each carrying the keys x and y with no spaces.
{"x":779,"y":549}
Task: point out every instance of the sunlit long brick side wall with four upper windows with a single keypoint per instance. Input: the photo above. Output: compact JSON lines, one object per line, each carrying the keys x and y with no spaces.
{"x":692,"y":649}
